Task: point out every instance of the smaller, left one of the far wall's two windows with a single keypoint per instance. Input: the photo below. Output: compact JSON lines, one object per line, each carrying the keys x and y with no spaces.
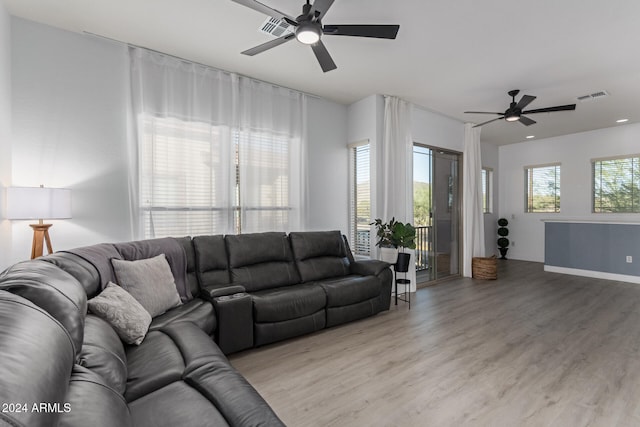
{"x":542,"y":188}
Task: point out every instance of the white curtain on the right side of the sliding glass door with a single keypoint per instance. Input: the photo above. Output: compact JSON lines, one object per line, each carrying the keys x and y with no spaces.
{"x":472,"y":217}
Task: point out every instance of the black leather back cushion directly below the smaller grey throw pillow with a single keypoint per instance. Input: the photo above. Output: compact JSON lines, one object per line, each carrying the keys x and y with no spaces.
{"x":103,"y":353}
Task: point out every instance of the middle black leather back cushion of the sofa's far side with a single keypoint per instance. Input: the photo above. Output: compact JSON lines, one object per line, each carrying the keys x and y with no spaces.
{"x":261,"y":260}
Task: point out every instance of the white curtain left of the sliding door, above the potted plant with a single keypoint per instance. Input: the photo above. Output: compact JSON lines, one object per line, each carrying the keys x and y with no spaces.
{"x":396,"y":172}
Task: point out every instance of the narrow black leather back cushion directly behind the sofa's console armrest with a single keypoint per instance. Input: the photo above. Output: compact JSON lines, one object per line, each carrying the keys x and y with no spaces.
{"x":211,"y":260}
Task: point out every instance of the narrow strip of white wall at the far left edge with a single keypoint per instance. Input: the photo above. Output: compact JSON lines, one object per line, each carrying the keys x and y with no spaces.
{"x":5,"y":131}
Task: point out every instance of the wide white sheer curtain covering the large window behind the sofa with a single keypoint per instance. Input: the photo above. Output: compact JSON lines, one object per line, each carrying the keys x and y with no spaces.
{"x":211,"y":152}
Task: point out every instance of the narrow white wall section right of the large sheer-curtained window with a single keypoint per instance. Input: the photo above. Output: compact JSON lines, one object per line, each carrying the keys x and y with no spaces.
{"x":328,"y":169}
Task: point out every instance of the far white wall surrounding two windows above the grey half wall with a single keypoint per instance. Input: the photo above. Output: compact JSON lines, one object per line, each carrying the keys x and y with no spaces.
{"x":574,"y":152}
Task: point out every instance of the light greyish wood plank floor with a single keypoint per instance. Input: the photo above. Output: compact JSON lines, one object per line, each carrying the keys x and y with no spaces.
{"x":530,"y":349}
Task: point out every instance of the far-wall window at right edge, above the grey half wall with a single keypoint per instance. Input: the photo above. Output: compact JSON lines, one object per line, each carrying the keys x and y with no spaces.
{"x":616,"y":185}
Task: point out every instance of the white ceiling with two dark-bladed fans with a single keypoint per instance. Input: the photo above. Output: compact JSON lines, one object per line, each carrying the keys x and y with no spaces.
{"x":449,"y":56}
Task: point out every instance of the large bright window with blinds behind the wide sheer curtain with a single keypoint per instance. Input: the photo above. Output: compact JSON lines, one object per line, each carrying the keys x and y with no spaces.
{"x":197,"y":179}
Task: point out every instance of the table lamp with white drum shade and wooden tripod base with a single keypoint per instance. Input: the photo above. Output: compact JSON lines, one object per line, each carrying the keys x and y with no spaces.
{"x":39,"y":203}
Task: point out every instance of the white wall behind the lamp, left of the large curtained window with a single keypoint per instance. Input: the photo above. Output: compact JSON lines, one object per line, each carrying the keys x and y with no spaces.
{"x":69,"y":130}
